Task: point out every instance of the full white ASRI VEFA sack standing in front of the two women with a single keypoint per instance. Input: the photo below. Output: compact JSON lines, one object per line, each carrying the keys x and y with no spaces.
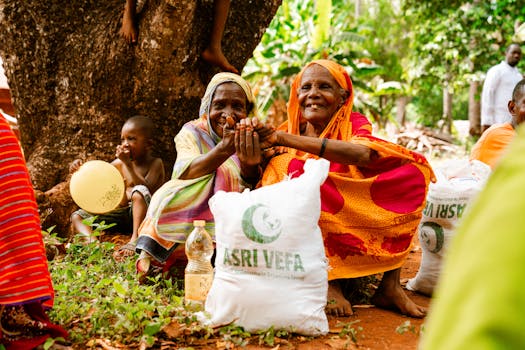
{"x":271,"y":268}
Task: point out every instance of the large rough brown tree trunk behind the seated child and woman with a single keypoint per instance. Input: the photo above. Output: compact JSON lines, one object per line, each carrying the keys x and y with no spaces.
{"x":74,"y":81}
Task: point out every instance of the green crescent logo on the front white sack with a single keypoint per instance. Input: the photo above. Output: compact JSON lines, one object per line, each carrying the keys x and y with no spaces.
{"x":260,"y":225}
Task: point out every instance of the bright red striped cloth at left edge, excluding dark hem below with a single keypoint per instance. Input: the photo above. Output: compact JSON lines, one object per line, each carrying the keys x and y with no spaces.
{"x":24,"y":276}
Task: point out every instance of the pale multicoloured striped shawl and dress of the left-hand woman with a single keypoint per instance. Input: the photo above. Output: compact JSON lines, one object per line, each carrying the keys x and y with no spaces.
{"x":178,"y":202}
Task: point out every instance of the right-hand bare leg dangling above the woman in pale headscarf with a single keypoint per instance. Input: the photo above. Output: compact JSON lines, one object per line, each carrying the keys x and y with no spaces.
{"x":213,"y":53}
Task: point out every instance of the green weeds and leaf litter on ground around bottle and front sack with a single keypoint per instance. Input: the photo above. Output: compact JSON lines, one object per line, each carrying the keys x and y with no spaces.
{"x":99,"y":300}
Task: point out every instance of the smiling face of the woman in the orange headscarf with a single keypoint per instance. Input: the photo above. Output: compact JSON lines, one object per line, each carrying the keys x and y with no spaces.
{"x":319,"y":96}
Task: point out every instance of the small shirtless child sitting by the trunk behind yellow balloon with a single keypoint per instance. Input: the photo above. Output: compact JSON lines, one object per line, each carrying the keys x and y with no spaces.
{"x":143,"y":174}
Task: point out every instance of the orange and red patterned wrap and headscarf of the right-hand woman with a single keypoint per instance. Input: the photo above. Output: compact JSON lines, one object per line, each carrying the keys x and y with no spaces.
{"x":368,"y":215}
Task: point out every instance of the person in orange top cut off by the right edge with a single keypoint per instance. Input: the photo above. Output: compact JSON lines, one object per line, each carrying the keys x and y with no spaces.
{"x":494,"y":141}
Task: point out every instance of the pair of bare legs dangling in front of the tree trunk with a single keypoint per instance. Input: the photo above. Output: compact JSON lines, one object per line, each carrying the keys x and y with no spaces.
{"x":212,"y":54}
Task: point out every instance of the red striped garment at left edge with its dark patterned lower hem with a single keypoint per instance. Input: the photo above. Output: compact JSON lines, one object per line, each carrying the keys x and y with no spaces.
{"x":25,"y":282}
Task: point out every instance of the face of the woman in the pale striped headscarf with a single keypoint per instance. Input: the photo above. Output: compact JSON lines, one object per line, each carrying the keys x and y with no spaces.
{"x":228,"y":99}
